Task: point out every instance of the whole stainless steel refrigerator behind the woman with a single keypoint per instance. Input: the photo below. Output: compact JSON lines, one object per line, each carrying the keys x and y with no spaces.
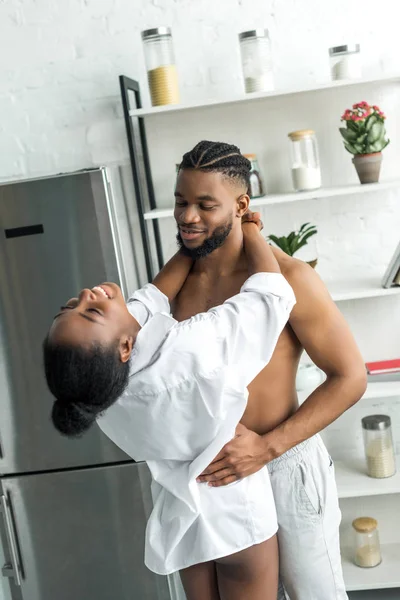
{"x":73,"y":513}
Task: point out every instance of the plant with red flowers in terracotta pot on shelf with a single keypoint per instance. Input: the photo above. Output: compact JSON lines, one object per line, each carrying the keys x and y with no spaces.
{"x":365,"y":137}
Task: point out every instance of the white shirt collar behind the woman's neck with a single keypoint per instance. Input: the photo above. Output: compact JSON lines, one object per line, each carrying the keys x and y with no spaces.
{"x":149,"y":339}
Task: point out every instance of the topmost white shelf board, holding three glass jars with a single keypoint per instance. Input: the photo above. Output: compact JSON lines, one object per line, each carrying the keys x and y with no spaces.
{"x":331,"y":85}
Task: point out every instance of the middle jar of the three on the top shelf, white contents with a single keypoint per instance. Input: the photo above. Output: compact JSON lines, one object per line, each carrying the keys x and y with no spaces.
{"x":255,"y":50}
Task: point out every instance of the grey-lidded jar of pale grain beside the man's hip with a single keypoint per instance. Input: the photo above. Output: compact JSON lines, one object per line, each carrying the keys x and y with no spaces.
{"x":378,"y":444}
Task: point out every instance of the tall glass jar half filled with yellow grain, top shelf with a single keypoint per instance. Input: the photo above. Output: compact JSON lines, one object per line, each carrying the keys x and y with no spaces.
{"x":161,"y":68}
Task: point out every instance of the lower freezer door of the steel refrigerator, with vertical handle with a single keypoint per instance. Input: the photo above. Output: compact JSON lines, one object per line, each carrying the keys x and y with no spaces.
{"x":80,"y":535}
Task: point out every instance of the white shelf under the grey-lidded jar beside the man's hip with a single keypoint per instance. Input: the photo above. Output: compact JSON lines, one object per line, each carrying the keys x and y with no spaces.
{"x":353,"y":482}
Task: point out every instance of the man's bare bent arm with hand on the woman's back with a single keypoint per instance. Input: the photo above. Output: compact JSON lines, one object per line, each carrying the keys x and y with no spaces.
{"x":325,"y":335}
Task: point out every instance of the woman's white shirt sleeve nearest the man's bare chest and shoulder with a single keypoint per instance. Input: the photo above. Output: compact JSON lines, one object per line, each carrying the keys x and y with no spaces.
{"x":251,"y":322}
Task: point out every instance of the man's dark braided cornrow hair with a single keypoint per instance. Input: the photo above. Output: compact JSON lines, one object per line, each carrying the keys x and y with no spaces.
{"x":219,"y":157}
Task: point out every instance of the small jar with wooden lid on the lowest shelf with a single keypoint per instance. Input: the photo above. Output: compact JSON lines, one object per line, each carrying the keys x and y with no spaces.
{"x":367,"y":550}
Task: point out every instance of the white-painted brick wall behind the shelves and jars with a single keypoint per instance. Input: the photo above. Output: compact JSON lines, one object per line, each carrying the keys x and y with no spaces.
{"x":60,"y":110}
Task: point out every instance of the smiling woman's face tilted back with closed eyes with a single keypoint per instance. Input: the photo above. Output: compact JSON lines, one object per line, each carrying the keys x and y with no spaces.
{"x":98,"y":315}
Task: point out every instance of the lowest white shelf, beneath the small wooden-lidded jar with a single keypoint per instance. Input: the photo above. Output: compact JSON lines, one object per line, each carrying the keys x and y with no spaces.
{"x":385,"y":575}
